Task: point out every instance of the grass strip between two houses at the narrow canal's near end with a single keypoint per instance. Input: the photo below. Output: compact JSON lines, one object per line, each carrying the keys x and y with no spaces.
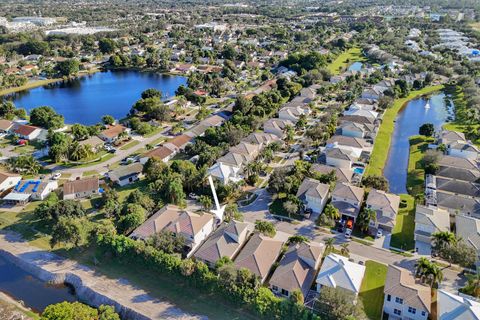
{"x":402,"y":234}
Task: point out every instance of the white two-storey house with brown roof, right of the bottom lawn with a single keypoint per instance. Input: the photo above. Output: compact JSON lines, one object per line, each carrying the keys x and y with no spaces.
{"x":405,"y":298}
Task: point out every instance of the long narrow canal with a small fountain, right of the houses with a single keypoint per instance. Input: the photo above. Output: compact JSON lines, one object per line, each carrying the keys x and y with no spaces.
{"x":407,"y":123}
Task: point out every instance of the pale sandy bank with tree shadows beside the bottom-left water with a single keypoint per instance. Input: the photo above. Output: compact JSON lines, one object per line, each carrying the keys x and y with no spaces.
{"x":93,"y":288}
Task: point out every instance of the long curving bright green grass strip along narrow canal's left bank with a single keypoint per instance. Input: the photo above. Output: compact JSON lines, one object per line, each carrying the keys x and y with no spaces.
{"x":379,"y":154}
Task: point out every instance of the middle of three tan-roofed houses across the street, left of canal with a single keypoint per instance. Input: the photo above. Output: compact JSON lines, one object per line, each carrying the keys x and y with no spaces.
{"x":348,"y":200}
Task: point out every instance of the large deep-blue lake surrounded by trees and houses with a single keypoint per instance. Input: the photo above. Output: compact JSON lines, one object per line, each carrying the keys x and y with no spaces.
{"x":86,"y":99}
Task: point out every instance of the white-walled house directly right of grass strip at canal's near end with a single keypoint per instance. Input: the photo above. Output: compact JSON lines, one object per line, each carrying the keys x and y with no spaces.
{"x":429,"y":220}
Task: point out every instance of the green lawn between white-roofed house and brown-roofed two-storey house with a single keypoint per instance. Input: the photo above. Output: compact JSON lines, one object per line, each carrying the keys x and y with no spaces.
{"x":371,"y":291}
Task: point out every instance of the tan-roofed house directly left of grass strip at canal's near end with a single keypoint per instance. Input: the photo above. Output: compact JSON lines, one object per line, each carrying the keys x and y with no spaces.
{"x":386,"y":206}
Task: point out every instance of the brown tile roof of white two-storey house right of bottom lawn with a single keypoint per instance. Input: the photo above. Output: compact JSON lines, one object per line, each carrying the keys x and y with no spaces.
{"x":401,"y":283}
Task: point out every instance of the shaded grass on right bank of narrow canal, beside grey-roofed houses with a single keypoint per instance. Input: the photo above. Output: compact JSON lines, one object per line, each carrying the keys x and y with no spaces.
{"x":416,"y":174}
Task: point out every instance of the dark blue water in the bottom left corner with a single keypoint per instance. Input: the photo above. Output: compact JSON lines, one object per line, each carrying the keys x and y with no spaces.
{"x":34,"y":293}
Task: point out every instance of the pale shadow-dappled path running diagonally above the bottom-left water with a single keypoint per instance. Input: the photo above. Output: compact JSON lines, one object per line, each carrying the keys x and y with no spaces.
{"x":124,"y":294}
